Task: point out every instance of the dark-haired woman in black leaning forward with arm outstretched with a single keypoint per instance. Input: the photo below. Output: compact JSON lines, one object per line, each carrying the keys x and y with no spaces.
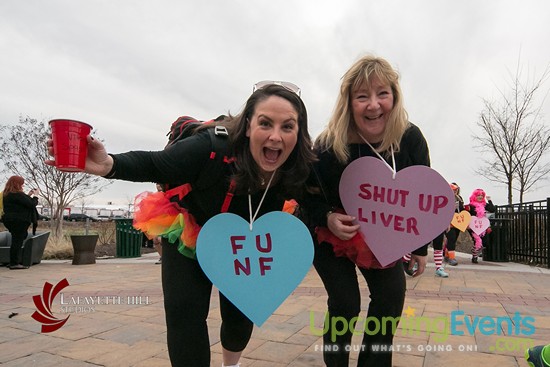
{"x":269,"y":150}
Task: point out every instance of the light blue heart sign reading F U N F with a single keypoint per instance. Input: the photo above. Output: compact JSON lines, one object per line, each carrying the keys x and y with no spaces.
{"x":256,"y":269}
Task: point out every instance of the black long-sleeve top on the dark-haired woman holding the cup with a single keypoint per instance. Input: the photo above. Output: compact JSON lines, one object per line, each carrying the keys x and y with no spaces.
{"x":184,"y":162}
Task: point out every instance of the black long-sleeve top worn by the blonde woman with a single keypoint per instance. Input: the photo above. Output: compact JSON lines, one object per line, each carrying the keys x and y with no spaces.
{"x":328,"y":170}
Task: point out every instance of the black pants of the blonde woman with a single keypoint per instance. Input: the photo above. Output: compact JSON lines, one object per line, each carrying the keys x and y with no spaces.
{"x":387,"y":294}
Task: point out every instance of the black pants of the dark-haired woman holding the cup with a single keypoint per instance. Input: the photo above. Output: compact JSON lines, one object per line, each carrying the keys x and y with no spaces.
{"x":186,"y":303}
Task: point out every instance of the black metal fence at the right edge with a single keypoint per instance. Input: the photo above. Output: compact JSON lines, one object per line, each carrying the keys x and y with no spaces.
{"x":524,"y":232}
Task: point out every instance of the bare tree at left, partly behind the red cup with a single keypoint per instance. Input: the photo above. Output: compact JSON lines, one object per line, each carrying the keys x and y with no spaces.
{"x":23,"y":152}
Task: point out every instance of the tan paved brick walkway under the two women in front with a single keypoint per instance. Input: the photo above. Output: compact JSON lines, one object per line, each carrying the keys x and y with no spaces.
{"x":130,"y":329}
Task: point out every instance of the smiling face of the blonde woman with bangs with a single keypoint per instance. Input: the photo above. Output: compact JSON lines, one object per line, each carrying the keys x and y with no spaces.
{"x":371,"y":107}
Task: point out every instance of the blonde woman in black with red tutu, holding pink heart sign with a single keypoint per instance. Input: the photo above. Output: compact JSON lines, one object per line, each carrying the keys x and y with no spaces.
{"x":369,"y":120}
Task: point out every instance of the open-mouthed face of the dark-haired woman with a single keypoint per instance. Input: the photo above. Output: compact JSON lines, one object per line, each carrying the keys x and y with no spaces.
{"x":273,"y":133}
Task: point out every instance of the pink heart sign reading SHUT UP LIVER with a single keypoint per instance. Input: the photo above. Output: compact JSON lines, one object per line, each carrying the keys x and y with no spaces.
{"x":396,"y":215}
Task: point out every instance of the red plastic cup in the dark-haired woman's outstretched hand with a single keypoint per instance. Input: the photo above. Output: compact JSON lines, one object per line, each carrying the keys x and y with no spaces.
{"x":70,"y":146}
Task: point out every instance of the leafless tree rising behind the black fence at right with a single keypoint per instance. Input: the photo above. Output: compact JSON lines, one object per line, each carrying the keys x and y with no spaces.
{"x":514,"y":135}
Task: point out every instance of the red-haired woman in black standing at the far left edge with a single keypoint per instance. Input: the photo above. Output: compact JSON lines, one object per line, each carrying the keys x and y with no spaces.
{"x":19,"y":210}
